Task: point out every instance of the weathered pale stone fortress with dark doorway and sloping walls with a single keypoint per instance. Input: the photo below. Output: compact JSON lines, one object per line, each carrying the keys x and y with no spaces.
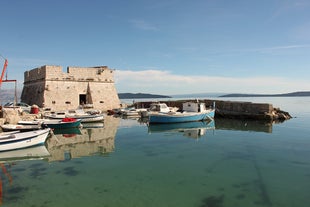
{"x":50,"y":87}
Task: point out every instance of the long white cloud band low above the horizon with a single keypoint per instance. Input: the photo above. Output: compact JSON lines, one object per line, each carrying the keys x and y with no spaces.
{"x":165,"y":82}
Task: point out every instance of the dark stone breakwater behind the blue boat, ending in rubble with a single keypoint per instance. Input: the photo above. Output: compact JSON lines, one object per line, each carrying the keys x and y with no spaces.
{"x":234,"y":109}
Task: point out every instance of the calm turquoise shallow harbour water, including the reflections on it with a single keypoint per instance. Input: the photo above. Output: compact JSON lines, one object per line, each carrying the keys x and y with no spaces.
{"x":237,"y":163}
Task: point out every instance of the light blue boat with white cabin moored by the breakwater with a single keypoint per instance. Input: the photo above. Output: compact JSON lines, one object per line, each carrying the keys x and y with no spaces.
{"x":191,"y":112}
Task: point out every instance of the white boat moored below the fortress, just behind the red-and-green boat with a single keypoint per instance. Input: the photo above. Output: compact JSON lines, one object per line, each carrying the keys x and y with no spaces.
{"x":77,"y":114}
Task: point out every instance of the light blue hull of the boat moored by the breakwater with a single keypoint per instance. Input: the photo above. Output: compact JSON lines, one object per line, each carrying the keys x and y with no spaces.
{"x":180,"y":117}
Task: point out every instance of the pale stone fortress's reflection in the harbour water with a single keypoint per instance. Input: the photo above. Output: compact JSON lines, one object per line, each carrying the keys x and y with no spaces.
{"x":90,"y":141}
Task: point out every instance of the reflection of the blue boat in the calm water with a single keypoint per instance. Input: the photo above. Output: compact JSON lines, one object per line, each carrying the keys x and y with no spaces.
{"x":189,"y":129}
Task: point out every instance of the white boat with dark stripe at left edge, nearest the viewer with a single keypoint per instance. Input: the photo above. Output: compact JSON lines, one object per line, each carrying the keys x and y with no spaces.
{"x":21,"y":140}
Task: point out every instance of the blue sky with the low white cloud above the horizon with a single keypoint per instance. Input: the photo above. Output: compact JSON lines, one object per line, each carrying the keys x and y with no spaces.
{"x":165,"y":46}
